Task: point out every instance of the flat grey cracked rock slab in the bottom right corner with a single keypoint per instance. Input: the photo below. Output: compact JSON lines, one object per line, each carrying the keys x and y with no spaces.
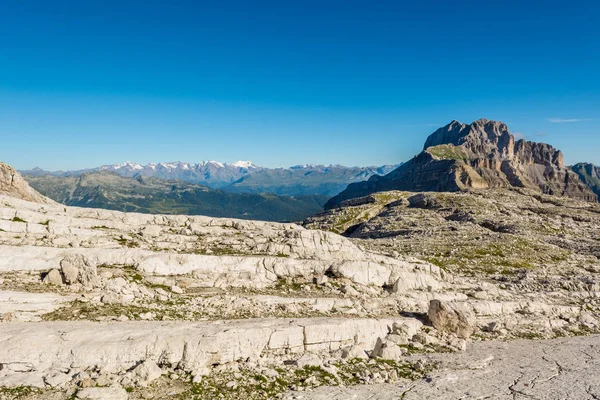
{"x":560,"y":369}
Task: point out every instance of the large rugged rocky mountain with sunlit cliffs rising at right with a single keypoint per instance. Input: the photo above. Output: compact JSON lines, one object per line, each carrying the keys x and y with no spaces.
{"x":481,"y":155}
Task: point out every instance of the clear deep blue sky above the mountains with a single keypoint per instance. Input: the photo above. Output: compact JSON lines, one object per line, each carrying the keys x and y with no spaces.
{"x":85,"y":83}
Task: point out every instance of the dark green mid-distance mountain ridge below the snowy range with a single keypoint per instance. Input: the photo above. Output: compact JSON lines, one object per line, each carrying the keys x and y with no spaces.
{"x":151,"y":195}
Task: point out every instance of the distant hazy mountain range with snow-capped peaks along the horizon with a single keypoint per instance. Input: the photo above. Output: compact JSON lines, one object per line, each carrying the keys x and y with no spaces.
{"x":241,"y":176}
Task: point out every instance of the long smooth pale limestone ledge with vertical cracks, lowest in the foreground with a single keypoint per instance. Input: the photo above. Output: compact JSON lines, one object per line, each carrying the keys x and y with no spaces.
{"x":189,"y":346}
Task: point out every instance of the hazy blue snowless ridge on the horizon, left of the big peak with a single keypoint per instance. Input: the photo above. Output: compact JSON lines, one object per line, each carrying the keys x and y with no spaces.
{"x":305,"y":179}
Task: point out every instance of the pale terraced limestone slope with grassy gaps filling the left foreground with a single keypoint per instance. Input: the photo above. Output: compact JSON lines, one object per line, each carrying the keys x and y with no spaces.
{"x":104,"y":304}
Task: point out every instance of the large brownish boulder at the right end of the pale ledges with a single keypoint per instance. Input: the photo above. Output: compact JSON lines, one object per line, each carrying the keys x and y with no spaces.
{"x":446,"y":317}
